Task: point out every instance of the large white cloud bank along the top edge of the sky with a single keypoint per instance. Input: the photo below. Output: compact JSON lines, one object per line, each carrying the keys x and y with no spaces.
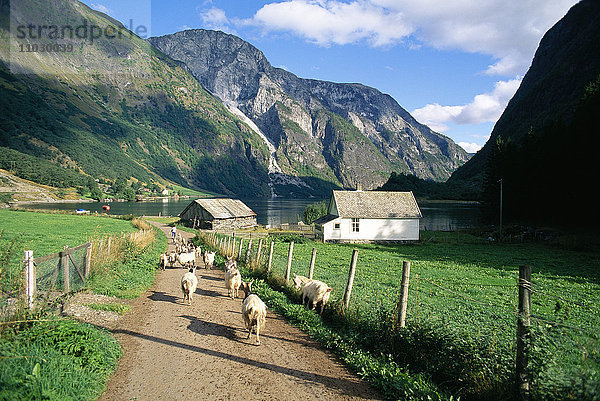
{"x":508,"y":30}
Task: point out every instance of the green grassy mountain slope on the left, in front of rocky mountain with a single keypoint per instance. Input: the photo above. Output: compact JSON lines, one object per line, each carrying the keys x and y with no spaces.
{"x":80,"y":90}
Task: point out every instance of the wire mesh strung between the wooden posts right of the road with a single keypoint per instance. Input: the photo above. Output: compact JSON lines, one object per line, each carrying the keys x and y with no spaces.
{"x":479,"y":306}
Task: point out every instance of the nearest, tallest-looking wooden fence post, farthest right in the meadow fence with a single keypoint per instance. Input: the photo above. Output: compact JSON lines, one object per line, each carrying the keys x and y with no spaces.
{"x":523,"y":334}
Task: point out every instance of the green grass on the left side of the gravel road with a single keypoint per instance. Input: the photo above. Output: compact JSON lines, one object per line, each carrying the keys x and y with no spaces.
{"x":43,"y":356}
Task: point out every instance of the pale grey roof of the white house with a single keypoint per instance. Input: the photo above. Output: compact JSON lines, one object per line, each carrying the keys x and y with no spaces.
{"x":376,"y":204}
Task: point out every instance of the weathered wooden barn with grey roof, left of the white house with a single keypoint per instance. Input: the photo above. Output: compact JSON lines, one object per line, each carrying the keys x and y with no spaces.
{"x":218,"y":214}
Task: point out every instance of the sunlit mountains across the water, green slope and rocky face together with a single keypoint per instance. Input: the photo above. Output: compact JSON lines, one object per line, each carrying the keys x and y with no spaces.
{"x":83,"y":92}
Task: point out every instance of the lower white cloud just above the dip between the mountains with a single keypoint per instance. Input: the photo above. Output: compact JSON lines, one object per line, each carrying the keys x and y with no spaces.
{"x":486,"y":107}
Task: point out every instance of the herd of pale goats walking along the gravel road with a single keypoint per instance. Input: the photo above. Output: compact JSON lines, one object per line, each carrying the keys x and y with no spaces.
{"x":315,"y":293}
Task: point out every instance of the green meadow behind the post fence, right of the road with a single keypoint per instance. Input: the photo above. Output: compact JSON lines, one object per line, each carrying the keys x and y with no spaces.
{"x":462,"y":311}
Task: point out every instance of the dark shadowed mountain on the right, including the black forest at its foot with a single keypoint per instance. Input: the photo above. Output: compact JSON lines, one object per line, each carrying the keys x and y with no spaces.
{"x":544,"y":147}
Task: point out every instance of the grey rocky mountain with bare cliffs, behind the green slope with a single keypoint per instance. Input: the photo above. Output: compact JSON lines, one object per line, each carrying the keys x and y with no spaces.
{"x":320,"y":134}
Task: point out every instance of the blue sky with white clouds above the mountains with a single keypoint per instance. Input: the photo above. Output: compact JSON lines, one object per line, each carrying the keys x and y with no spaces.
{"x":453,"y":64}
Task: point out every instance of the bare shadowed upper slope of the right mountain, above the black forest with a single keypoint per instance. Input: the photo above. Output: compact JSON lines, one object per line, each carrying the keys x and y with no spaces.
{"x":566,"y":61}
